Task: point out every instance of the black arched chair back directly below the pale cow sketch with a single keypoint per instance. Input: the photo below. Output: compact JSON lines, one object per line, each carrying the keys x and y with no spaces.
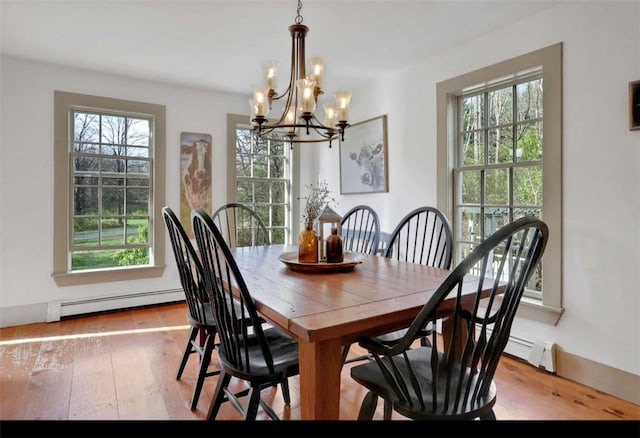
{"x":360,"y":230}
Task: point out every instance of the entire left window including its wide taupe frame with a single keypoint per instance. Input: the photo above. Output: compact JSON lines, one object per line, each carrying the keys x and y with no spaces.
{"x":108,"y":154}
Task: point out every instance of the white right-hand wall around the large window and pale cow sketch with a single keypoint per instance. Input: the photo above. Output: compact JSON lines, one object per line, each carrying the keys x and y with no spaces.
{"x":601,"y":157}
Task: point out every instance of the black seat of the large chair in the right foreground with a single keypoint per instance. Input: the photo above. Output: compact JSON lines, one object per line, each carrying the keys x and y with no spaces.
{"x":422,"y":407}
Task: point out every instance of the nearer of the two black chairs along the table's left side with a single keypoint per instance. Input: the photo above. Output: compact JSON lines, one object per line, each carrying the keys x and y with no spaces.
{"x":261,"y":356}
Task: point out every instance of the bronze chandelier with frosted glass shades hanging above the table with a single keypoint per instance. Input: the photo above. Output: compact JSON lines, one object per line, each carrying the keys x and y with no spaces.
{"x":300,"y":99}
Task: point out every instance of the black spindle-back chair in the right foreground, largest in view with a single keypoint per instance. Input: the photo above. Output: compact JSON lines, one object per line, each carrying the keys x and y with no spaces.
{"x":423,"y":383}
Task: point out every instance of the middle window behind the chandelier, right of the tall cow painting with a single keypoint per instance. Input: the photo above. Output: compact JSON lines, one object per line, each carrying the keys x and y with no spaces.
{"x":260,"y":178}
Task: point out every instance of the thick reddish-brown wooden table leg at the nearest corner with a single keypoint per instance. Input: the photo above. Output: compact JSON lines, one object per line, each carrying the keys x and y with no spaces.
{"x":320,"y":368}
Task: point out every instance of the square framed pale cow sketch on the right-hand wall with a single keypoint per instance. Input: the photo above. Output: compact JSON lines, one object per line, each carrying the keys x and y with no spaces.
{"x":363,"y":157}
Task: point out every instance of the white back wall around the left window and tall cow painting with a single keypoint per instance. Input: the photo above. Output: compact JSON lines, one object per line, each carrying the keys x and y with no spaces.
{"x":26,"y":173}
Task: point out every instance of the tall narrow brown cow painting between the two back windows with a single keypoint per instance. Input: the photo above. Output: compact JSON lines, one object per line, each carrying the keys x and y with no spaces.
{"x":195,"y":175}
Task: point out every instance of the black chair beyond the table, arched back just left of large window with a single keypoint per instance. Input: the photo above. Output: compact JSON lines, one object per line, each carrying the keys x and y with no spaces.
{"x":422,"y":236}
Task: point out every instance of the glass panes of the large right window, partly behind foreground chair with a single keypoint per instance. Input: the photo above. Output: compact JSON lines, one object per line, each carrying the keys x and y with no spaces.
{"x":498,"y":173}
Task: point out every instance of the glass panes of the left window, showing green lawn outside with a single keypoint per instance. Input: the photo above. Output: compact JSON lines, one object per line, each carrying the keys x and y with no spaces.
{"x":111,"y":157}
